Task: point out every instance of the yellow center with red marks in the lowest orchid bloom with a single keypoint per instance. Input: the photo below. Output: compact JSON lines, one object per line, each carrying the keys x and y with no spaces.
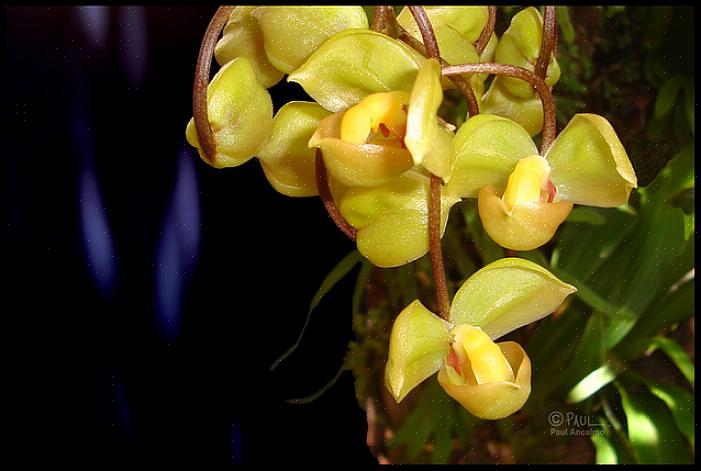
{"x":487,"y":361}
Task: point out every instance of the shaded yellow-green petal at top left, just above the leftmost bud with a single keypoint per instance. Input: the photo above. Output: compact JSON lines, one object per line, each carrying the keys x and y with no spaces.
{"x":243,"y":38}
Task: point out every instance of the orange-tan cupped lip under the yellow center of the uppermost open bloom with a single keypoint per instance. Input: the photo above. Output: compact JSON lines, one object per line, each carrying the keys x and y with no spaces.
{"x":358,"y":164}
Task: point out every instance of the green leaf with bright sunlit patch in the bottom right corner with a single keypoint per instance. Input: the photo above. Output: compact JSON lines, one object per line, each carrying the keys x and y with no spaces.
{"x":652,"y":431}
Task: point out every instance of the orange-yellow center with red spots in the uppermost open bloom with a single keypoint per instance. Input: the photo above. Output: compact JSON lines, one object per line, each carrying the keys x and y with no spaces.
{"x":379,"y":112}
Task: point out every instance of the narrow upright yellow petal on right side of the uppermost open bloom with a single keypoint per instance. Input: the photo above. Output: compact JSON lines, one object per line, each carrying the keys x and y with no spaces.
{"x":430,"y":144}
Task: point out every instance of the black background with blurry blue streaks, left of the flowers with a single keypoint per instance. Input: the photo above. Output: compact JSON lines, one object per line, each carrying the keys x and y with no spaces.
{"x":147,"y":293}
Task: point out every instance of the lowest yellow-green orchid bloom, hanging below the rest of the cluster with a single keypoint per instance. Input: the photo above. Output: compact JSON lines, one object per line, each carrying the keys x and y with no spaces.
{"x":491,"y":380}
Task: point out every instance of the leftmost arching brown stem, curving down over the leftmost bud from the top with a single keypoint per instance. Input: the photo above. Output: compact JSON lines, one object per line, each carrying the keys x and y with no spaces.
{"x":205,"y":135}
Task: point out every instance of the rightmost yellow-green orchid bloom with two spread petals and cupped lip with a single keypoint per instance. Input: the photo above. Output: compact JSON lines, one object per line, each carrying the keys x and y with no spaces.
{"x":523,"y":197}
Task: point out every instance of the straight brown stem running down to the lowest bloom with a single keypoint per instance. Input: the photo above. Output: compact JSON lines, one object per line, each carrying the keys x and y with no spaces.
{"x":434,"y":239}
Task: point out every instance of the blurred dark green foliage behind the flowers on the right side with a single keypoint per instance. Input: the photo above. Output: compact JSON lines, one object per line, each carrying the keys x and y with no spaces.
{"x":620,"y":352}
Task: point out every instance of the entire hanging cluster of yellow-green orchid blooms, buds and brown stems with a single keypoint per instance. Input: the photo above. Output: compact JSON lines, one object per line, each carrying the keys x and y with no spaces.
{"x":389,"y":168}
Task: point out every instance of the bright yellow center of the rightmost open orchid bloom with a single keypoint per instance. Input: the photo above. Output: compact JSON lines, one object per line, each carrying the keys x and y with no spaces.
{"x":526,"y":182}
